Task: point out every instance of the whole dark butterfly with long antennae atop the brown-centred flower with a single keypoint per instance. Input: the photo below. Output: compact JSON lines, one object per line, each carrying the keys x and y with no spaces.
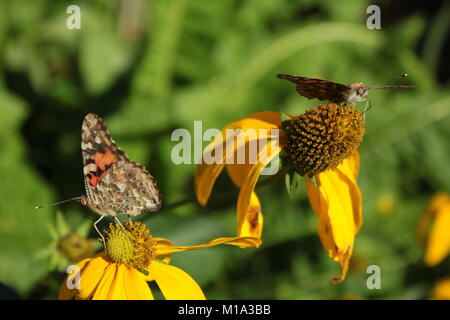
{"x":312,"y":88}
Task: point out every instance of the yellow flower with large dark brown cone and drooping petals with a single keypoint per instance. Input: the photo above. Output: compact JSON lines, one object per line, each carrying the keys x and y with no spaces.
{"x":321,"y":146}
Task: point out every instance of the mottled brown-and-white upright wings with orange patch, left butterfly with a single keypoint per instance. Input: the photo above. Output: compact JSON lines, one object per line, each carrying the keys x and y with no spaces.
{"x":113,"y":183}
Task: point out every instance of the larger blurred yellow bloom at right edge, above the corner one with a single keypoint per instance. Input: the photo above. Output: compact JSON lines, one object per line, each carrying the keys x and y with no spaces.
{"x":434,"y":229}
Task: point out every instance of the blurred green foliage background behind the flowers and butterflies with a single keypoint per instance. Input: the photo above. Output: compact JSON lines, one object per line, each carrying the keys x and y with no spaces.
{"x":149,"y":67}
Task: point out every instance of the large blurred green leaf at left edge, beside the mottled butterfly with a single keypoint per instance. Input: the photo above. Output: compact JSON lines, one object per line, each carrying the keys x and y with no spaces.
{"x":23,"y":229}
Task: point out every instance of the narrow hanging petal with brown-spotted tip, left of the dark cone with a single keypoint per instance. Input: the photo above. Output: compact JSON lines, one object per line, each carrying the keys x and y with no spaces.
{"x":248,"y":202}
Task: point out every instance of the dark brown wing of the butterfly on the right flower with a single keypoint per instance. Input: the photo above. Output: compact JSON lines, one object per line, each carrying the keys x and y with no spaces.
{"x":312,"y":88}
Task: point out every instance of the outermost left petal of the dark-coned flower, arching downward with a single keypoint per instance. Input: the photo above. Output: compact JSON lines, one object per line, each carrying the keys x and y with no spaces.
{"x":206,"y":174}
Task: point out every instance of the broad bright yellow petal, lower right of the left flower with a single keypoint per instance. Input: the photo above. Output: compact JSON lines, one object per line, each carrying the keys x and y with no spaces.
{"x":174,"y":283}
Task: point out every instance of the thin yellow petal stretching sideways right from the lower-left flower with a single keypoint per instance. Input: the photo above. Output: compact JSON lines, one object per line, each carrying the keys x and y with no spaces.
{"x":164,"y":248}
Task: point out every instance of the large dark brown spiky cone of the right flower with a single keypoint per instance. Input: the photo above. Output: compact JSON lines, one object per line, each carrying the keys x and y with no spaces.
{"x":322,"y":137}
